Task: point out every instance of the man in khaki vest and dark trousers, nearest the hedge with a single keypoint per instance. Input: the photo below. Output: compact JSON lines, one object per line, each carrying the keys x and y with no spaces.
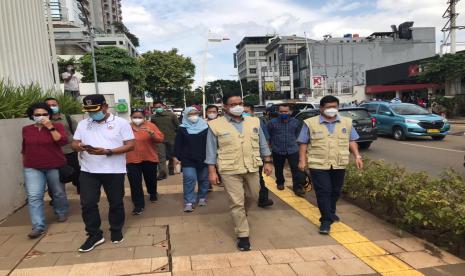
{"x":325,"y":145}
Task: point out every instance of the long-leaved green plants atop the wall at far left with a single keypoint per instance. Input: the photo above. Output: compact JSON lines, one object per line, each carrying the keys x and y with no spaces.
{"x":14,"y":100}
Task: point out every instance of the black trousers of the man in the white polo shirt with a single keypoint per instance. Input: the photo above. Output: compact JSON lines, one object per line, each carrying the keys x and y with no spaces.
{"x":113,"y":185}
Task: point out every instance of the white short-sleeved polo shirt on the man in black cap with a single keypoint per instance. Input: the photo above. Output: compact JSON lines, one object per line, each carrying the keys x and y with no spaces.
{"x":108,"y":135}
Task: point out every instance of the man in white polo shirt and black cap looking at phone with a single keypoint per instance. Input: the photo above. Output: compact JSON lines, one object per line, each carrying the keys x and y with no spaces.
{"x":102,"y":141}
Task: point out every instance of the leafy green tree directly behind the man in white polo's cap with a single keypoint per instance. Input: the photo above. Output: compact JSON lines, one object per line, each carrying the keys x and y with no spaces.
{"x":114,"y":64}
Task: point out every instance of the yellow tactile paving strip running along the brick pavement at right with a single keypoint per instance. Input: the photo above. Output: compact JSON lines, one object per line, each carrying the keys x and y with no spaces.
{"x":367,"y":251}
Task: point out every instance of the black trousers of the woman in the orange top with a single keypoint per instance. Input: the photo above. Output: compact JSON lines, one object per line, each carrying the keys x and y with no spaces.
{"x":147,"y":170}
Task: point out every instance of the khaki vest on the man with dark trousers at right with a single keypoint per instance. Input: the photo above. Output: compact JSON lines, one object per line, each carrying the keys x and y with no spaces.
{"x":326,"y":150}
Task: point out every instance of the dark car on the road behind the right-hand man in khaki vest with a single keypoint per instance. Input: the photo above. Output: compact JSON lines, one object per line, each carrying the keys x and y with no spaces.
{"x":364,"y":124}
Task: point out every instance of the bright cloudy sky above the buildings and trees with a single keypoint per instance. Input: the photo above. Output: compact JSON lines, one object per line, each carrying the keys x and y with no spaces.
{"x":184,"y":24}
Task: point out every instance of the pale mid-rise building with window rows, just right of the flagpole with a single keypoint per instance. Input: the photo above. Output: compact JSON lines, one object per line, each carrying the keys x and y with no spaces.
{"x":250,"y":51}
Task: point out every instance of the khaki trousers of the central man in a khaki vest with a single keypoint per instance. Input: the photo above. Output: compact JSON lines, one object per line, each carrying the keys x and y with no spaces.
{"x":236,"y":186}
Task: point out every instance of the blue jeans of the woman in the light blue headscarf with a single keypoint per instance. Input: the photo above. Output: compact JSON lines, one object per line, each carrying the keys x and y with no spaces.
{"x":191,"y":176}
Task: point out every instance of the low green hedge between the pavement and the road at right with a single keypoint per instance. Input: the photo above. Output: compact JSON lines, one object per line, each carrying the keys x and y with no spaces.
{"x":414,"y":201}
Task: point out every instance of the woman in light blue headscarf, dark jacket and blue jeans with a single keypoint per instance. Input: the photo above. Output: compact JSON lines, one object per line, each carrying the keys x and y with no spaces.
{"x":189,"y":149}
